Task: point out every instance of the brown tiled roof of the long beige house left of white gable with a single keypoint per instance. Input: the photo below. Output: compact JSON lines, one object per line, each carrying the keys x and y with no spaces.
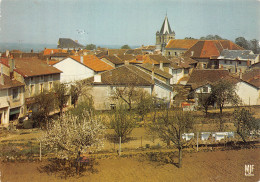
{"x":31,"y":67}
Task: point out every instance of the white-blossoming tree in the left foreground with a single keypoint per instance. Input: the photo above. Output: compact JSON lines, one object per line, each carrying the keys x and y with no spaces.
{"x":72,"y":135}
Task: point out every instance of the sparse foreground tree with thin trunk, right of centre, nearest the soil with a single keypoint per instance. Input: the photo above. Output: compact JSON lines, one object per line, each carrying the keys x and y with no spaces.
{"x":171,"y":125}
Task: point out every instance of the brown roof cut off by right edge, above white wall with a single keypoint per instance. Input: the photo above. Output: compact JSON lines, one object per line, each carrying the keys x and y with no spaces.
{"x":252,"y":77}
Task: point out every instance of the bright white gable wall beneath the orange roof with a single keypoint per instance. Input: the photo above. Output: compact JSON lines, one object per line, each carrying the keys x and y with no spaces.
{"x":73,"y":70}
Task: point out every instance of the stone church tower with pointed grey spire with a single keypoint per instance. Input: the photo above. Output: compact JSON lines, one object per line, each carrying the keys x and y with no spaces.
{"x":165,"y":34}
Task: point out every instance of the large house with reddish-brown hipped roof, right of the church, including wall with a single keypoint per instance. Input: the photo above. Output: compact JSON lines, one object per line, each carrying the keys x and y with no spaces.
{"x":206,"y":52}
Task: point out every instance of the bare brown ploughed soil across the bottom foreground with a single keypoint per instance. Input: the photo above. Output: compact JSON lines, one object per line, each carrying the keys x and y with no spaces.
{"x":202,"y":166}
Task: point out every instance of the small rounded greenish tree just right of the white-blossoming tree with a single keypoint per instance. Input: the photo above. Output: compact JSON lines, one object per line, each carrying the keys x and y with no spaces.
{"x":122,"y":122}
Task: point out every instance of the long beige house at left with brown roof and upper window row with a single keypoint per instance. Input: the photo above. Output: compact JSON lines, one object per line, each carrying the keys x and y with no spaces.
{"x":34,"y":73}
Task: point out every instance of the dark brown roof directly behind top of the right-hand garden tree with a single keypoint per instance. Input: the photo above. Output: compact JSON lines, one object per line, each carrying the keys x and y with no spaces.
{"x":207,"y":76}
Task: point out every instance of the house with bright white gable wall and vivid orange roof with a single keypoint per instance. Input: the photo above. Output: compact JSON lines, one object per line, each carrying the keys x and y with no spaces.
{"x":80,"y":67}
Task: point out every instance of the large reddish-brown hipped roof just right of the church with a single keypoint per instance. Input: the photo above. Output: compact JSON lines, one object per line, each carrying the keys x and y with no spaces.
{"x":210,"y":48}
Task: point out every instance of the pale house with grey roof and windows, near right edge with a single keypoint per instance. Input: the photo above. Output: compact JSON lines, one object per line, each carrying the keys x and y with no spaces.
{"x":236,"y":61}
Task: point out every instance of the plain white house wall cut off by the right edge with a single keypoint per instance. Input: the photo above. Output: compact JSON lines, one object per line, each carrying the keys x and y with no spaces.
{"x":248,"y":93}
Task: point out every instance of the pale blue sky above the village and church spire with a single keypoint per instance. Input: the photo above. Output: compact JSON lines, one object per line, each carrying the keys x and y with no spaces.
{"x":119,"y":22}
